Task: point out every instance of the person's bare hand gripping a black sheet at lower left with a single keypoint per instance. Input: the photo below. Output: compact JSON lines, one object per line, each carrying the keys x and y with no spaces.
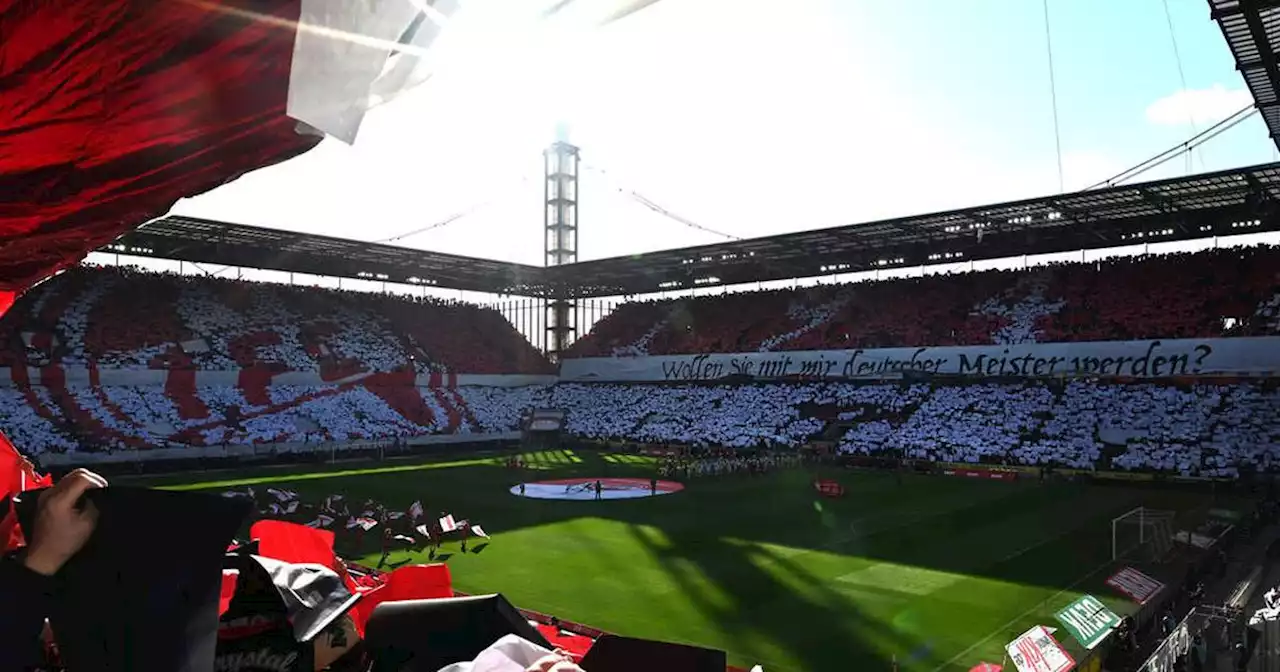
{"x":62,"y":525}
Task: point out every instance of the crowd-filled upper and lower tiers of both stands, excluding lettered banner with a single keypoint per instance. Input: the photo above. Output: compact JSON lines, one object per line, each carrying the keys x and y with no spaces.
{"x":368,"y":350}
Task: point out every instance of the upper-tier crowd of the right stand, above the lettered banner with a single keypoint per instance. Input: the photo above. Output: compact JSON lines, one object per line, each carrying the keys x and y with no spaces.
{"x":1212,"y":294}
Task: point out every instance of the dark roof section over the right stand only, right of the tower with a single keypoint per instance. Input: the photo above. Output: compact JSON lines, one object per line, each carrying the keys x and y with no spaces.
{"x":1200,"y":207}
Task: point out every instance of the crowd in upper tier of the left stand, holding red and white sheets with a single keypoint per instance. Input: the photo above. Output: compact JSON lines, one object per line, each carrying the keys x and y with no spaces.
{"x":122,"y":318}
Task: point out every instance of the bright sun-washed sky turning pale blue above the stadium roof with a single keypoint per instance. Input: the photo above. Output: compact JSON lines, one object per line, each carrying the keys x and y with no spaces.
{"x":760,"y":117}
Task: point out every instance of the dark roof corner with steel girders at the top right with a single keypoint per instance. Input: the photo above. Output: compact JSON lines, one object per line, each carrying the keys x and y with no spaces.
{"x":1252,"y":31}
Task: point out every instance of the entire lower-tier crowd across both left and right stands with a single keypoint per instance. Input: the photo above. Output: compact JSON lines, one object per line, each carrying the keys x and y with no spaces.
{"x":1206,"y":429}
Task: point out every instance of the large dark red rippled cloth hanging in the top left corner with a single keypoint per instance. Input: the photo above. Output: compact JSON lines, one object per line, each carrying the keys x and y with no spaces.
{"x":116,"y":109}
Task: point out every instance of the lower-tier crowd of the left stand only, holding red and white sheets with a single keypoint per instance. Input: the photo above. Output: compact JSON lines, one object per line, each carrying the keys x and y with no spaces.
{"x":124,"y":418}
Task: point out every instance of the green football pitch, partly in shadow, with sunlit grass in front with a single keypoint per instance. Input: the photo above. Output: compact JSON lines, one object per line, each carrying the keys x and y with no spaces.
{"x":934,"y":573}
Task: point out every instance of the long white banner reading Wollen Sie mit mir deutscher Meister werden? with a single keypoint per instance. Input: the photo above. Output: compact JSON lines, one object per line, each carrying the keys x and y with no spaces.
{"x":1108,"y":359}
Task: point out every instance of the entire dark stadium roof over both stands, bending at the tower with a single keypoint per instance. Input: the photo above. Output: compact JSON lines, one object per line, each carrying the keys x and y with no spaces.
{"x":1245,"y":200}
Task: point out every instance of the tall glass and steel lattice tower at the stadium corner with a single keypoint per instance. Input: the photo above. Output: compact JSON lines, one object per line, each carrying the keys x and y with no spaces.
{"x":560,"y":221}
